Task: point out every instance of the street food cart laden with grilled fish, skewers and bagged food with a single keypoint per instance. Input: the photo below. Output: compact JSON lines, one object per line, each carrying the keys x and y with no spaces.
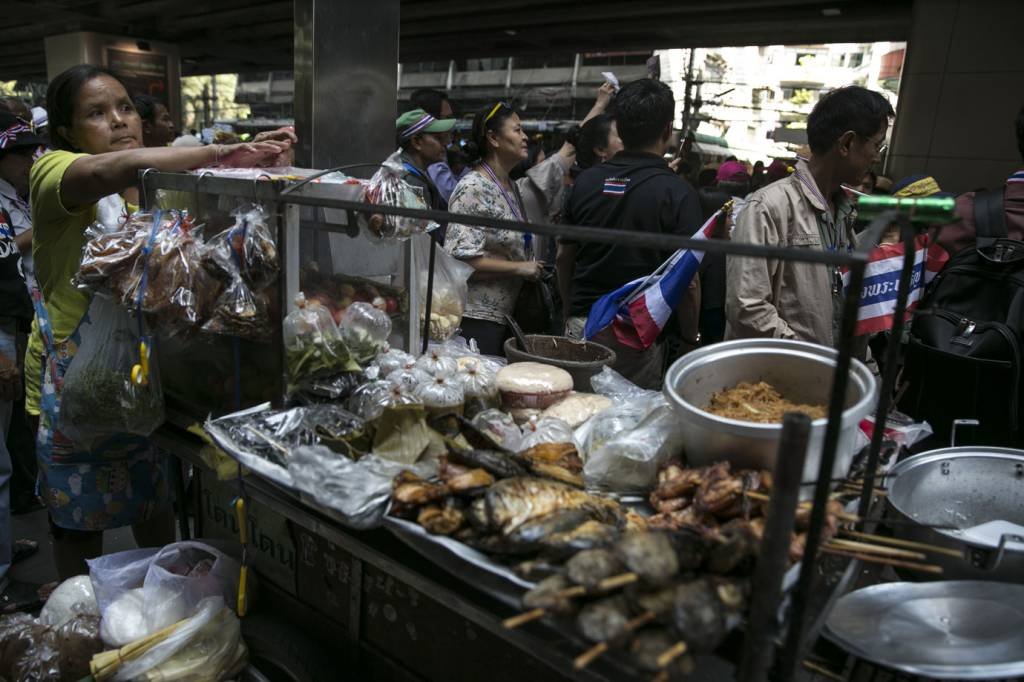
{"x":396,"y":492}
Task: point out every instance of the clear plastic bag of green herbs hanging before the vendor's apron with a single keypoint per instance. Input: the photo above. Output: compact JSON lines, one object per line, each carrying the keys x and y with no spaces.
{"x":99,"y":398}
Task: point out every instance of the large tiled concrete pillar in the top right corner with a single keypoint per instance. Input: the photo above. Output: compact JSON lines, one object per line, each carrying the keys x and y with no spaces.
{"x":962,"y":88}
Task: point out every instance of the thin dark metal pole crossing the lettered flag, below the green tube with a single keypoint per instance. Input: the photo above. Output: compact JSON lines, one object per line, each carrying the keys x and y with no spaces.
{"x":890,"y":371}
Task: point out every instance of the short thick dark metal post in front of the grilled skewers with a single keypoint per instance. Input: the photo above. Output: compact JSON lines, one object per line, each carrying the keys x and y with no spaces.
{"x":766,"y":586}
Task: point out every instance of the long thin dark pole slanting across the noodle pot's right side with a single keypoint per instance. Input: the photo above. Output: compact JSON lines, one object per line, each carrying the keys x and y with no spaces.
{"x":837,"y":404}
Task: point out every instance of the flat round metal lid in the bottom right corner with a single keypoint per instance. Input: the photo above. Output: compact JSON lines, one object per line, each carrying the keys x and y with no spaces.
{"x":962,"y":630}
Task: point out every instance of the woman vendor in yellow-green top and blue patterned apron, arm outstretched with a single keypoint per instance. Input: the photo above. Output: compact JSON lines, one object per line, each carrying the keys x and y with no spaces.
{"x":98,"y":138}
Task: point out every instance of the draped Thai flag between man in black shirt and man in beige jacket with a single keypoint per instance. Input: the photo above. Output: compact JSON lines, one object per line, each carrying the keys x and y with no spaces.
{"x":639,"y":311}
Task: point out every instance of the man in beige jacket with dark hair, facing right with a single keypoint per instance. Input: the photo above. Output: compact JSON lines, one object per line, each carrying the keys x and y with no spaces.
{"x":807,"y":210}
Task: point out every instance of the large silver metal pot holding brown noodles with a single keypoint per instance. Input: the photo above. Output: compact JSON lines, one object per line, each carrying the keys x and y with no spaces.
{"x":800,"y":371}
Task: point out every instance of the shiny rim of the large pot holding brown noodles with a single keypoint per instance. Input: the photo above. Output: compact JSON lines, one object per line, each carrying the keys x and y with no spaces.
{"x":860,"y":374}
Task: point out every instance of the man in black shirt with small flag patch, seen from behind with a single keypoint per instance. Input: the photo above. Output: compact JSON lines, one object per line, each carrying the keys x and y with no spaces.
{"x":634,"y":192}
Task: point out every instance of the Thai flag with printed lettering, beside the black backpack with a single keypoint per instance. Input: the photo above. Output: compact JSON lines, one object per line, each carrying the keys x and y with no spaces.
{"x":878,"y":299}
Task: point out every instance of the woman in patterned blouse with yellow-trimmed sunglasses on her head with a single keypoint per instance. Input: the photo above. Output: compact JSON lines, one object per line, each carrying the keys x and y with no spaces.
{"x":503,"y":260}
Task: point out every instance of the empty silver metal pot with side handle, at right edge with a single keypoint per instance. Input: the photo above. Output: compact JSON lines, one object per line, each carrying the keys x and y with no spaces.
{"x":972,"y":489}
